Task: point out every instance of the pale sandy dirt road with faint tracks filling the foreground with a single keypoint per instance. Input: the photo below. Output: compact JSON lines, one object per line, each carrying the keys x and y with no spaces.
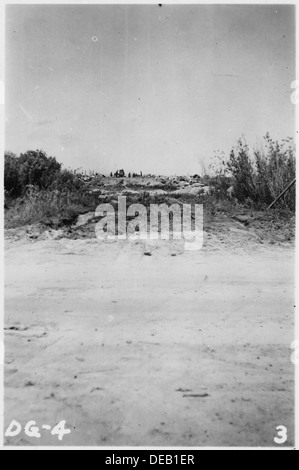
{"x":161,"y":350}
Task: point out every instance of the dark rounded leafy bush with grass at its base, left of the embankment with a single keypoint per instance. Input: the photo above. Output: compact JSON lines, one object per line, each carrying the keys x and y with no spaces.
{"x":36,"y":189}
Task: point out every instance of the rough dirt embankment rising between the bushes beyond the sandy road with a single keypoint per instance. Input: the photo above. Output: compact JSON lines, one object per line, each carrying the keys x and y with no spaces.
{"x":225,"y":222}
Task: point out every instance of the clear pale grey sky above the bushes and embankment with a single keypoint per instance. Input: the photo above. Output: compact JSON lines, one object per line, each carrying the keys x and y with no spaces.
{"x":146,"y":88}
